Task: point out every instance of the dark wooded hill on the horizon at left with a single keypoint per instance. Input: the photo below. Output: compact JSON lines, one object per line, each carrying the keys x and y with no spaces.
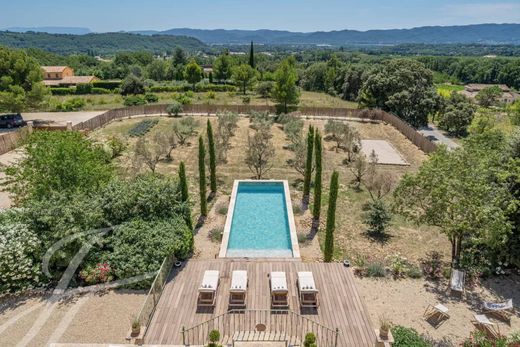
{"x":99,"y":44}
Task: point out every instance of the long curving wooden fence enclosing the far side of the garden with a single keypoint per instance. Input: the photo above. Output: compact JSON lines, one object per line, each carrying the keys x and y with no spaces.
{"x":363,"y":114}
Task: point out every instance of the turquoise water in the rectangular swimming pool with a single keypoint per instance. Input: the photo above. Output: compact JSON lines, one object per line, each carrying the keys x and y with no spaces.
{"x":260,"y":225}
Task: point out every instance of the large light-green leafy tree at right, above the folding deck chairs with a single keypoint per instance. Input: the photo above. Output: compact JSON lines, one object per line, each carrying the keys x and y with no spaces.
{"x":467,"y":205}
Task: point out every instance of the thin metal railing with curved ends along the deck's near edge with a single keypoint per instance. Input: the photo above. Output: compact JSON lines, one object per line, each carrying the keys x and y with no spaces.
{"x":278,"y":325}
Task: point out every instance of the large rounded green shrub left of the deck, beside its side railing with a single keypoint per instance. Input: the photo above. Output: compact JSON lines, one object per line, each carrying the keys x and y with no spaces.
{"x":140,"y":246}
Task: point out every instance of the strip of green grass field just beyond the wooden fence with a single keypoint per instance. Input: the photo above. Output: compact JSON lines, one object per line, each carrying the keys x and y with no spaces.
{"x":105,"y":102}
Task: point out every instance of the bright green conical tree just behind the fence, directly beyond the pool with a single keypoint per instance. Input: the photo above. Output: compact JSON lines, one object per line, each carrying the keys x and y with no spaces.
{"x":285,"y":90}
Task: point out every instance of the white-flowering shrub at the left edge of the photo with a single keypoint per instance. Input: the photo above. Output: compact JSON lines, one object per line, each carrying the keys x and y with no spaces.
{"x":19,"y":270}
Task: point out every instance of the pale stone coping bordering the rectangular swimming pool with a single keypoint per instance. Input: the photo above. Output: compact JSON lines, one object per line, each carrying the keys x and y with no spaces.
{"x":290,"y":216}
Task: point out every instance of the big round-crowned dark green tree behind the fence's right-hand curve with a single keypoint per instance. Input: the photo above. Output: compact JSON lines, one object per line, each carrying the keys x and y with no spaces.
{"x":403,"y":87}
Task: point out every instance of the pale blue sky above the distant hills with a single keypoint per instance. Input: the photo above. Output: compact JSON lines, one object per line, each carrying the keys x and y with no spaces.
{"x":293,"y":15}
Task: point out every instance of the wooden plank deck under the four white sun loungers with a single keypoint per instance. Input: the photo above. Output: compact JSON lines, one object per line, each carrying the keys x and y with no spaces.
{"x":341,"y":306}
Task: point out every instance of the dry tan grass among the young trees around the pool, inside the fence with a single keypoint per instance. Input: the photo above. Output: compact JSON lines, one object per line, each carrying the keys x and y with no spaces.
{"x":351,"y":239}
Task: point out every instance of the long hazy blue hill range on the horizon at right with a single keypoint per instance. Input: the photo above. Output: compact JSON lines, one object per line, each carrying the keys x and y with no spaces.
{"x":464,"y":34}
